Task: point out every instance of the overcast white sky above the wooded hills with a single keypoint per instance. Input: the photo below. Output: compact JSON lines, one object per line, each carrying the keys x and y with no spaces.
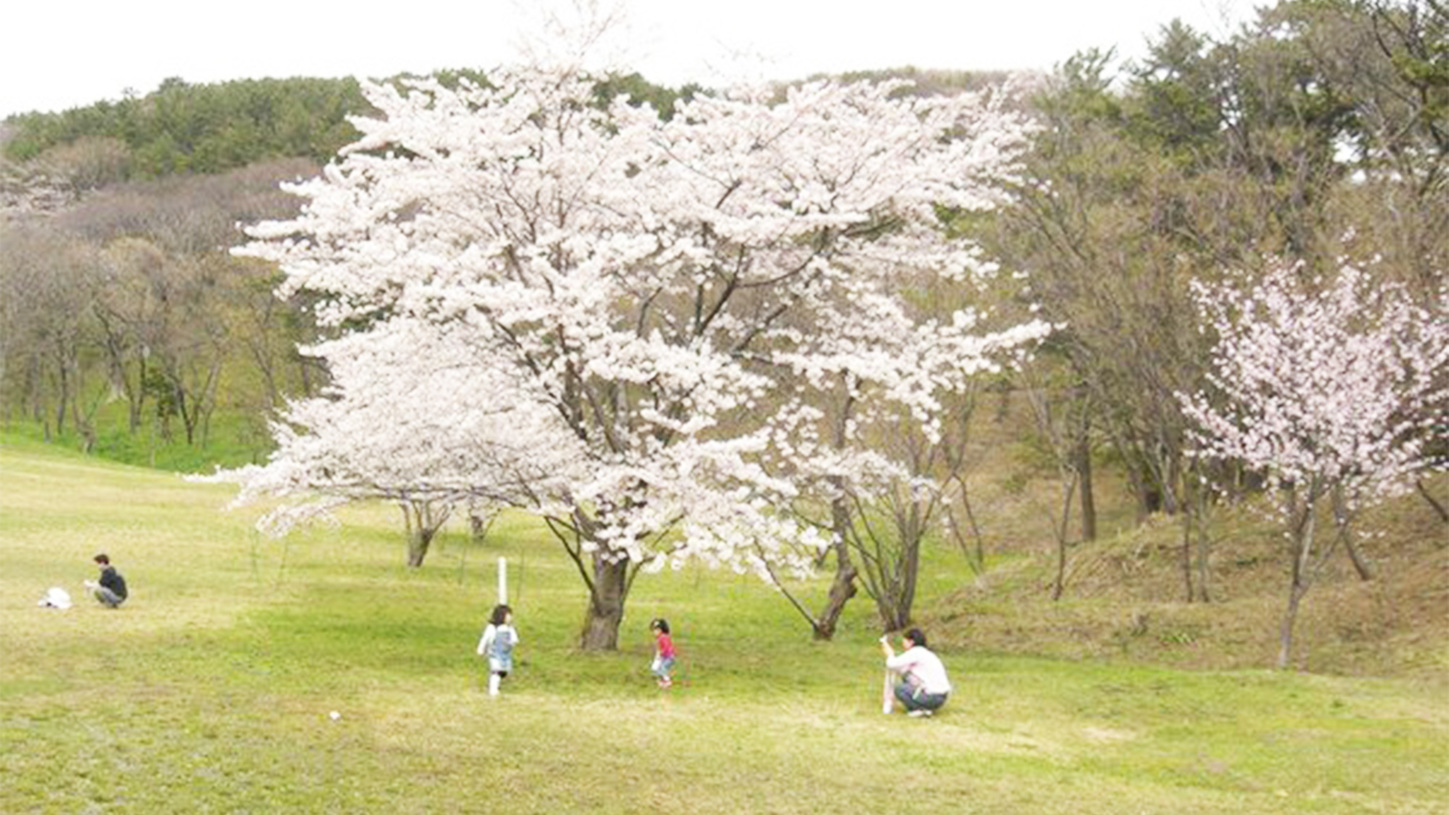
{"x":73,"y":53}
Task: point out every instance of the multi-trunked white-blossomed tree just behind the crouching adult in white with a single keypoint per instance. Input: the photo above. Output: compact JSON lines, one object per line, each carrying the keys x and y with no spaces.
{"x":874,"y":436}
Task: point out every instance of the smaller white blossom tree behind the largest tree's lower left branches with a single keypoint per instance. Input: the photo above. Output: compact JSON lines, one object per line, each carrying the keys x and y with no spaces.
{"x":395,"y":424}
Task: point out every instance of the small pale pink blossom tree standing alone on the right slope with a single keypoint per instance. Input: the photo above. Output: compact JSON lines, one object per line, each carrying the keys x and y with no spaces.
{"x":1331,"y":391}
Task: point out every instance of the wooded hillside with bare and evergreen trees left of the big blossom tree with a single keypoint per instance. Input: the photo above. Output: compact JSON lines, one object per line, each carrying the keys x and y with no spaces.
{"x":131,"y":331}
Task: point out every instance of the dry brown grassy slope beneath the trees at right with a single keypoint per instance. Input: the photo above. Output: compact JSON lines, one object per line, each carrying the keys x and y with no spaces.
{"x":1125,"y":595}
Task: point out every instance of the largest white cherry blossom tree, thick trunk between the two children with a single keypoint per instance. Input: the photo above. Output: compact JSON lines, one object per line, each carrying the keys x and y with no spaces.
{"x":599,"y":314}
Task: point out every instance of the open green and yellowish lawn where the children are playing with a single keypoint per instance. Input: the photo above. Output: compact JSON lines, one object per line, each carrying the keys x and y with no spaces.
{"x":211,"y":691}
